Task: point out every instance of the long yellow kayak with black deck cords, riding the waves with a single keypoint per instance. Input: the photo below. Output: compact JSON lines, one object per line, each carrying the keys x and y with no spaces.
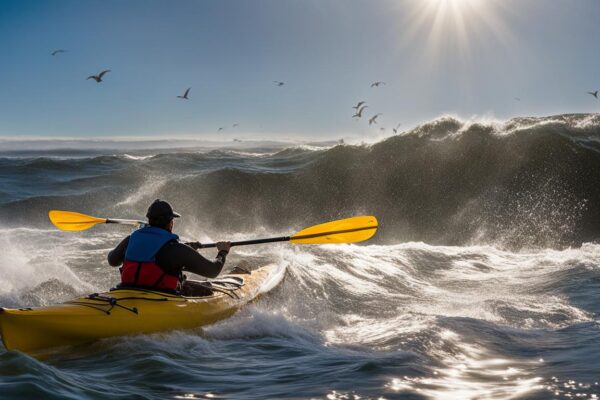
{"x":130,"y":311}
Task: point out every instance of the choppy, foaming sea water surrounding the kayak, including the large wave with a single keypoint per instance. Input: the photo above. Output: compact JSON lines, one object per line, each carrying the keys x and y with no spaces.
{"x":483,"y":282}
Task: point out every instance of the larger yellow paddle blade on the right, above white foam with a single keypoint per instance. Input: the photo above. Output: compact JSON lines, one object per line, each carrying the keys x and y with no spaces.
{"x":349,"y":230}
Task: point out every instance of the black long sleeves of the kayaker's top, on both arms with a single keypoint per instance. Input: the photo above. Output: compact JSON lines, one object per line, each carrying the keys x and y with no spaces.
{"x":175,"y":257}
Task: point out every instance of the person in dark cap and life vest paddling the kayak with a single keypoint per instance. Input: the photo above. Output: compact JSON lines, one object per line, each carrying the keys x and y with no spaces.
{"x":153,"y":257}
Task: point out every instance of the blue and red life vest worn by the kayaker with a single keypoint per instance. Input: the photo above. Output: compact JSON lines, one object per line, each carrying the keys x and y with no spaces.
{"x":140,"y":268}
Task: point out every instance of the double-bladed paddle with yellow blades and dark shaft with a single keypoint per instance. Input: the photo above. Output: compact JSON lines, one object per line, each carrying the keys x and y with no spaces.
{"x":348,"y":230}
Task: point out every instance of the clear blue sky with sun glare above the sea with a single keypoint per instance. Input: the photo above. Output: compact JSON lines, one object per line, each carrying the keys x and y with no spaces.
{"x":463,"y":57}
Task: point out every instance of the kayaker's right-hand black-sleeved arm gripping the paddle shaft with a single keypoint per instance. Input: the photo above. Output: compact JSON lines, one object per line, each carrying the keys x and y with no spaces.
{"x":177,"y":256}
